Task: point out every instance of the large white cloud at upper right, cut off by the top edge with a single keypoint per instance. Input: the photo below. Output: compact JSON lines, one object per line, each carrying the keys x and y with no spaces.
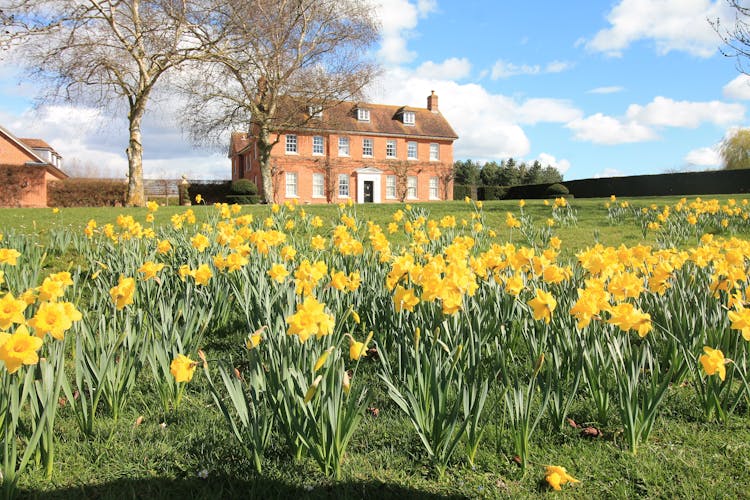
{"x":671,"y":24}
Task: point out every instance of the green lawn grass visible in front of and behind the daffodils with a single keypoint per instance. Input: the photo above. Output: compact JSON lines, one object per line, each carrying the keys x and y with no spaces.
{"x":189,"y":453}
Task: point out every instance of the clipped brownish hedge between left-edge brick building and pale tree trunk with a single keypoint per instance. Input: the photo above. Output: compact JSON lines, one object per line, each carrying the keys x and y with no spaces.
{"x":76,"y":192}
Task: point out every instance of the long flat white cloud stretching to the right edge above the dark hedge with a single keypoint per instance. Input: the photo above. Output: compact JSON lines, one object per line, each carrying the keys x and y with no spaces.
{"x":666,"y":112}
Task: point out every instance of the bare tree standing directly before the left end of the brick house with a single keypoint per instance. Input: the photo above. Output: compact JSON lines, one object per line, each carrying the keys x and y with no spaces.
{"x":277,"y":61}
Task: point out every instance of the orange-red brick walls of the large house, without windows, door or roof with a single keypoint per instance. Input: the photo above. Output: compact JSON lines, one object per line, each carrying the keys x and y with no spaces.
{"x":304,"y":163}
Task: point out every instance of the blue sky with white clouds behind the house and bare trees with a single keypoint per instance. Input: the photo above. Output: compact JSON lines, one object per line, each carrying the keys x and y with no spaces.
{"x":593,"y":88}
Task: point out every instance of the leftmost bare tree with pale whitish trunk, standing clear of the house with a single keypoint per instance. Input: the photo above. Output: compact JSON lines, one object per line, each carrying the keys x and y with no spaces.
{"x":109,"y":53}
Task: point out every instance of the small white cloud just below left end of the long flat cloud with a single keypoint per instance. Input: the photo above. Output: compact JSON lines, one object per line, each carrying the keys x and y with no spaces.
{"x":603,"y":129}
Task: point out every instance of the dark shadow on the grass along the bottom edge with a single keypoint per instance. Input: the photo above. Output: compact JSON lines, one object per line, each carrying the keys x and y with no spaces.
{"x":229,"y":487}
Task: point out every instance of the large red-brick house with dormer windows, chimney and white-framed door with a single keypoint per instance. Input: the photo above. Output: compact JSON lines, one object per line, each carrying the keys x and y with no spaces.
{"x":367,"y":153}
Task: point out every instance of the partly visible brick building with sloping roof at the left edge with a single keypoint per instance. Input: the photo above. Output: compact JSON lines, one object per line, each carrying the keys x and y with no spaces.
{"x":26,"y":165}
